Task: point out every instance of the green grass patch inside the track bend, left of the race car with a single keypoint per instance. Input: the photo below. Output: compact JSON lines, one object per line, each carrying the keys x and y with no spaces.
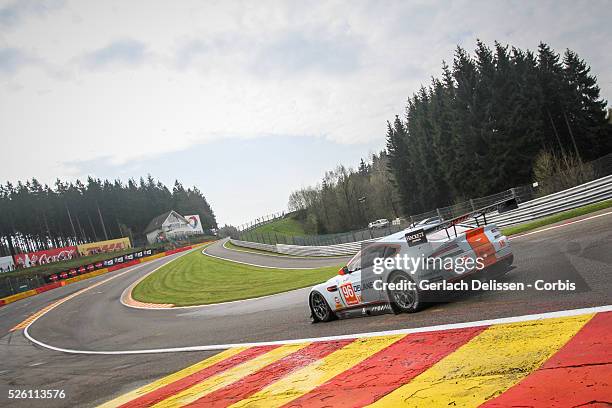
{"x":197,"y":279}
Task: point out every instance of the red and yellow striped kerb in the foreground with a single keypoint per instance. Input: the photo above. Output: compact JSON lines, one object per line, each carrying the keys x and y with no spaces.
{"x":564,"y":361}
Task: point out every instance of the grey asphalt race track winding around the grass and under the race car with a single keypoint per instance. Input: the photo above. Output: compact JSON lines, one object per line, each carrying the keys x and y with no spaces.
{"x":96,"y":320}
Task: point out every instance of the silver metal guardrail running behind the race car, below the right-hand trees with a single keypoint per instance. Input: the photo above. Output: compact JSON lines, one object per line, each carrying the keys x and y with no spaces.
{"x":584,"y":194}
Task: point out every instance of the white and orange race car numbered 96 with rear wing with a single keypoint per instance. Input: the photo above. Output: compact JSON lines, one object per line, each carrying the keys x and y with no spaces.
{"x":365,"y":287}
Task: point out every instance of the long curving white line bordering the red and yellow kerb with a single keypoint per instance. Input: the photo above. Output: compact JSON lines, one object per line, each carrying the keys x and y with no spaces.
{"x":214,"y":347}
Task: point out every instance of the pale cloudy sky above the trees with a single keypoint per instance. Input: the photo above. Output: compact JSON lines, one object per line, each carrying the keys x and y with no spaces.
{"x":246,"y":100}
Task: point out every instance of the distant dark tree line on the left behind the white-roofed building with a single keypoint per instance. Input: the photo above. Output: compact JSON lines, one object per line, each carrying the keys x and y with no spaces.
{"x":35,"y":216}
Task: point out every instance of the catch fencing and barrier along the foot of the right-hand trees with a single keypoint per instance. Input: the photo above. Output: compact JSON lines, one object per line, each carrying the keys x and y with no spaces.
{"x":531,"y":206}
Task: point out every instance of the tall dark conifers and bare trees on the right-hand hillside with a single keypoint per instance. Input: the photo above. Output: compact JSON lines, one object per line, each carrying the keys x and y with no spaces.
{"x":476,"y":130}
